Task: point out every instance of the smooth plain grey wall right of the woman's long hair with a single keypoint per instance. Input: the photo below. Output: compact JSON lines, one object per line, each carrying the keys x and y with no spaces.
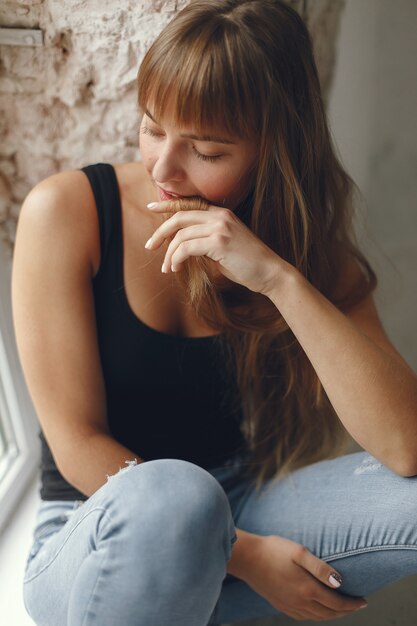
{"x":373,"y":114}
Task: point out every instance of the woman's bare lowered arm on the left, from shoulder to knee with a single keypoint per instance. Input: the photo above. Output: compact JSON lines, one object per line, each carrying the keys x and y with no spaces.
{"x":56,"y":256}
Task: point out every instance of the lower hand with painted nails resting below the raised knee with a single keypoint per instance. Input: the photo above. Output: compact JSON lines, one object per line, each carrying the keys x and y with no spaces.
{"x":295,"y":581}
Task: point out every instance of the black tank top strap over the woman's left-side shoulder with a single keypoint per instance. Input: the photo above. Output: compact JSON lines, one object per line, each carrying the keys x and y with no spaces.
{"x":103,"y":181}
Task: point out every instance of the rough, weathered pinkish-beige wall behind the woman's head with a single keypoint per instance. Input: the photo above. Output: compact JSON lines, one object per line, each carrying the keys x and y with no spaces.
{"x":73,"y":100}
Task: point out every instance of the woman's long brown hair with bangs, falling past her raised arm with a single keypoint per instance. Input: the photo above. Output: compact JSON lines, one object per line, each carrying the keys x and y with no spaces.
{"x":247,"y":67}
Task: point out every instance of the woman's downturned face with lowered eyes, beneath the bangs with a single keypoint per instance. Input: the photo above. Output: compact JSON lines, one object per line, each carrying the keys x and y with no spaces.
{"x":181,"y":162}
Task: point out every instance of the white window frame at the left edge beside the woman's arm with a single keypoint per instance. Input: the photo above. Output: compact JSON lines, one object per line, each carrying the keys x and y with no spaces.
{"x":17,"y":403}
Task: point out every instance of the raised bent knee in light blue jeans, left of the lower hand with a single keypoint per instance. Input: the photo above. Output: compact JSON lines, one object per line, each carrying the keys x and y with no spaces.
{"x":152,"y":525}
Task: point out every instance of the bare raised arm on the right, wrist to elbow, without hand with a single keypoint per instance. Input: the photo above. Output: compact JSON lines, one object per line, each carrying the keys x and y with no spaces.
{"x":372,"y":389}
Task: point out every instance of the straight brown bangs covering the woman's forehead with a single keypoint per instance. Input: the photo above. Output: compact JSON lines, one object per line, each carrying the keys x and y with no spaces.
{"x":205,"y":88}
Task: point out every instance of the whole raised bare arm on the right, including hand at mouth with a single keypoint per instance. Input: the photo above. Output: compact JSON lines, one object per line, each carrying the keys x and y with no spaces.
{"x":372,"y":389}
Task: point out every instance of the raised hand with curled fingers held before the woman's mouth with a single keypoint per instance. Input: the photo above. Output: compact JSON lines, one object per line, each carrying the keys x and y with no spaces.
{"x":218,"y":234}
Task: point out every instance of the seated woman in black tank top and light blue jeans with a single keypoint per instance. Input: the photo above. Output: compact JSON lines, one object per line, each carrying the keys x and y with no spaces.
{"x":205,"y":317}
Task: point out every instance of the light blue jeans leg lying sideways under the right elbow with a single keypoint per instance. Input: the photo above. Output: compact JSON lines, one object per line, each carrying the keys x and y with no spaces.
{"x":351,"y":511}
